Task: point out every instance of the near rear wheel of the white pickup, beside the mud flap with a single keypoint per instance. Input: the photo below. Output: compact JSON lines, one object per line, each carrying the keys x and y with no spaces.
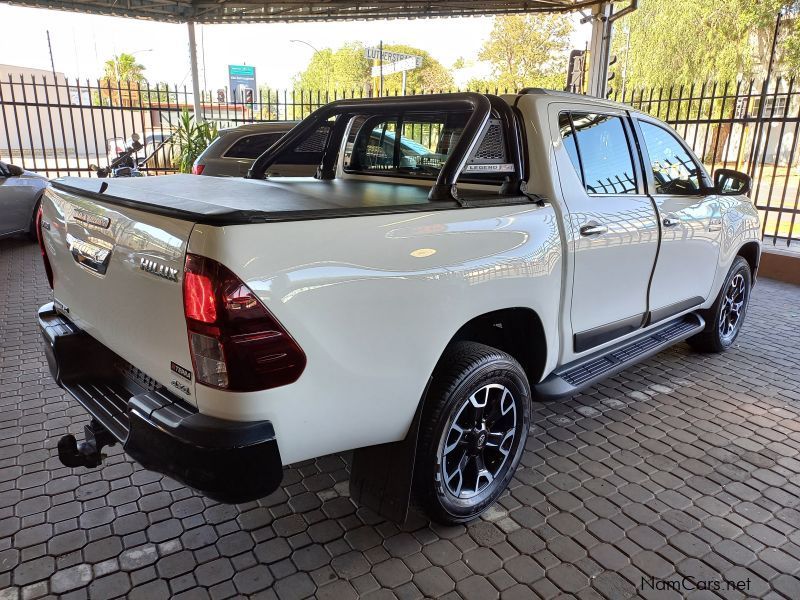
{"x":468,"y":374}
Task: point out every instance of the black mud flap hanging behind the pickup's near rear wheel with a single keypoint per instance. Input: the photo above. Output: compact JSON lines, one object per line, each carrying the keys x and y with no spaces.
{"x":382,"y":476}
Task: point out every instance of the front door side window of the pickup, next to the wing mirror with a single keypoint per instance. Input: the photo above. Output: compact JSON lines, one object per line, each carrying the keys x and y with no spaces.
{"x":674,"y":170}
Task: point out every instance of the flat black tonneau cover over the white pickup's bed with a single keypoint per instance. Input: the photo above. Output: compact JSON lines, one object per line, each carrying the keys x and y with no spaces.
{"x":229,"y":201}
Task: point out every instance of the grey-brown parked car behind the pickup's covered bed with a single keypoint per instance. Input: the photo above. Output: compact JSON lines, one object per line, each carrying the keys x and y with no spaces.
{"x":234,"y":151}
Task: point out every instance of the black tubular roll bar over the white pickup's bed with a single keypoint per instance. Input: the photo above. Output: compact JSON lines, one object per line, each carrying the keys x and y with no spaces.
{"x":480,"y":105}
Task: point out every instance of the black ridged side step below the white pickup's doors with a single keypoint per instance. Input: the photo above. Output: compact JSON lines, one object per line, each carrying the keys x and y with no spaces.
{"x":582,"y":373}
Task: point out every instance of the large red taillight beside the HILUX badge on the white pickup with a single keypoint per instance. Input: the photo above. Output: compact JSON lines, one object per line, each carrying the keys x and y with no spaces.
{"x":236,"y":343}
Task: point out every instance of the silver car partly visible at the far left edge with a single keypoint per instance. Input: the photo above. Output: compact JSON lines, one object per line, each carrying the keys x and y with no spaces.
{"x":20,"y":193}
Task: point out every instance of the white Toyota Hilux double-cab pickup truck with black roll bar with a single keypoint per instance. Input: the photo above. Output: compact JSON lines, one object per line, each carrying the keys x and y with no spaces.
{"x":455,"y":258}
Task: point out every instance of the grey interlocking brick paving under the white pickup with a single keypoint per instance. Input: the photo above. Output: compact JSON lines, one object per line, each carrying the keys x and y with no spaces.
{"x":686,"y":465}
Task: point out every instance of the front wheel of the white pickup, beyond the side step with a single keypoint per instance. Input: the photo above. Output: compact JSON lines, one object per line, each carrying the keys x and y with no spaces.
{"x":723,"y":323}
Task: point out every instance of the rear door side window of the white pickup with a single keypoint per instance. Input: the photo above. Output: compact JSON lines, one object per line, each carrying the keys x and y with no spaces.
{"x":605,"y":155}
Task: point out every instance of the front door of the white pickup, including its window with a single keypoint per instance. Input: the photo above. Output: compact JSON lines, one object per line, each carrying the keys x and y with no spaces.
{"x":690,"y":220}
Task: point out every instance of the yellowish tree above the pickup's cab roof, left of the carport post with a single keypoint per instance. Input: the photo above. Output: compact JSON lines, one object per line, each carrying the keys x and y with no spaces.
{"x":527,"y":50}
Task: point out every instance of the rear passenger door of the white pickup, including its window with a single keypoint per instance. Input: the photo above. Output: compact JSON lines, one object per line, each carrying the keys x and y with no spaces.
{"x":612,"y":227}
